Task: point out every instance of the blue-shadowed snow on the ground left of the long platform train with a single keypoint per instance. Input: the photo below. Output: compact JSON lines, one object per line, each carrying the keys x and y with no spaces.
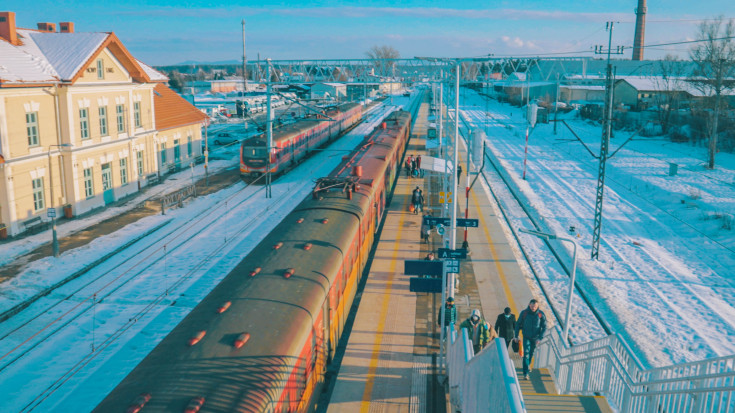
{"x":109,"y":319}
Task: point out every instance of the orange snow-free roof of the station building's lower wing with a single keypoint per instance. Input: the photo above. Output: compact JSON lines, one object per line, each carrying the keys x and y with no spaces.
{"x":173,"y":111}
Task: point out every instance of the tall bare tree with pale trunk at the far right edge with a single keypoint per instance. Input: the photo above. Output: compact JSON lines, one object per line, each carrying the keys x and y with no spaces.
{"x":714,"y":70}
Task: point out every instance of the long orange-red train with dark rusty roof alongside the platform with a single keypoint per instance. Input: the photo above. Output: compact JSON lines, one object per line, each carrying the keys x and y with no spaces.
{"x":262,"y":339}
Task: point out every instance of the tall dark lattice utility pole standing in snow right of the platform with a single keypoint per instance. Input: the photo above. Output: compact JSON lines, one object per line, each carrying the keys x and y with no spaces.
{"x":606,"y":131}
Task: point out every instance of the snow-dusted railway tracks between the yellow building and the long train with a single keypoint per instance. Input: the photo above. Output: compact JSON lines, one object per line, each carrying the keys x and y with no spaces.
{"x":124,"y":295}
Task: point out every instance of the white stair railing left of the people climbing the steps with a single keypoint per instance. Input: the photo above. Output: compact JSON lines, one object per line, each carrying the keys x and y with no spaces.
{"x":485,"y":382}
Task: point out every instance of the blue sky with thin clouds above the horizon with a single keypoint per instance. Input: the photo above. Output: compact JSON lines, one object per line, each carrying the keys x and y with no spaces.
{"x":170,"y":32}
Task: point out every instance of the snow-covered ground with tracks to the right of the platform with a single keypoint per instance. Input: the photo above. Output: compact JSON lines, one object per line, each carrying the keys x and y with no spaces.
{"x":665,"y":280}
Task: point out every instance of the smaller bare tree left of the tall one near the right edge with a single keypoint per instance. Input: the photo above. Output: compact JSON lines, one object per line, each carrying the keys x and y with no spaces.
{"x":669,"y":84}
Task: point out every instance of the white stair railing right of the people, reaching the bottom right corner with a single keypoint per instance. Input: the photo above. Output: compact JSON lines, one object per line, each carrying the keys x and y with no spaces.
{"x":607,"y":366}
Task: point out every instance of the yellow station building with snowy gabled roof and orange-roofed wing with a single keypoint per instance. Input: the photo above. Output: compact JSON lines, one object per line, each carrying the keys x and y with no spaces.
{"x":82,"y":124}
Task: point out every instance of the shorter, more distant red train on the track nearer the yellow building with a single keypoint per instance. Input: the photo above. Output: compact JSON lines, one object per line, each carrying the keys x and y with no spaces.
{"x":293,"y":142}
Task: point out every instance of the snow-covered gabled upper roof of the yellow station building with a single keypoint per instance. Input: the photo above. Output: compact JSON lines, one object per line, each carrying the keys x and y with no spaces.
{"x":50,"y":57}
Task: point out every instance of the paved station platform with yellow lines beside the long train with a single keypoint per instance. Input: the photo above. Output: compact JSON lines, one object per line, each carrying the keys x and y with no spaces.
{"x":390,"y":360}
